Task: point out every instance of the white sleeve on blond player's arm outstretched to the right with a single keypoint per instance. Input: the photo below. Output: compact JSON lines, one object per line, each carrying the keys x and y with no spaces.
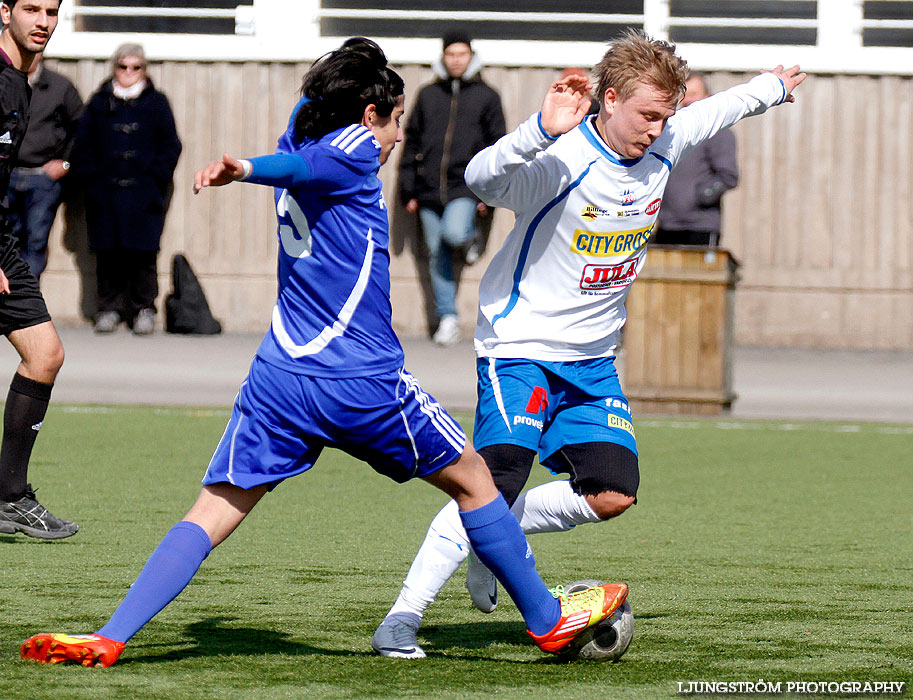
{"x":701,"y":120}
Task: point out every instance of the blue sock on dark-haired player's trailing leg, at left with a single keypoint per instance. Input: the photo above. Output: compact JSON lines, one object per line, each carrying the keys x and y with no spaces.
{"x":166,"y":573}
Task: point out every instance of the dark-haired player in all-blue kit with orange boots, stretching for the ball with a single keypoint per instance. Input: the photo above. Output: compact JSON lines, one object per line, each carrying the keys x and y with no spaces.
{"x":329,"y":372}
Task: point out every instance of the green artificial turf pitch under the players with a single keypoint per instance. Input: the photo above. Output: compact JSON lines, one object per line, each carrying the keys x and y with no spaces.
{"x":757,"y":550}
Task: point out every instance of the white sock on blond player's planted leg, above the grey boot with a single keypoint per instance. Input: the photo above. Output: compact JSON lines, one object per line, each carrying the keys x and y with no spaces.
{"x":444,"y":549}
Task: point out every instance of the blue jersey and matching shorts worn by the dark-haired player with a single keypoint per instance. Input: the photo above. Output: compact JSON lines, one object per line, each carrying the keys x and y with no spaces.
{"x":330,"y":370}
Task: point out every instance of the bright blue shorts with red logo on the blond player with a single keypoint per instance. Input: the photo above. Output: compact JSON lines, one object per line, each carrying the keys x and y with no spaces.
{"x":544,"y":406}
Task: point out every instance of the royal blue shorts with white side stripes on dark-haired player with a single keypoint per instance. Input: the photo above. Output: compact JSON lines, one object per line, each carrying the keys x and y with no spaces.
{"x":281,"y":421}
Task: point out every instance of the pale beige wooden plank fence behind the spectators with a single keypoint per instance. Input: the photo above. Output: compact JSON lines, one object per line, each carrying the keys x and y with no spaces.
{"x":822,"y":221}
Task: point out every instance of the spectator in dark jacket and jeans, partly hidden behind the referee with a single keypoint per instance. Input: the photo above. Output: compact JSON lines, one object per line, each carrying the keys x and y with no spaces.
{"x":37,"y":181}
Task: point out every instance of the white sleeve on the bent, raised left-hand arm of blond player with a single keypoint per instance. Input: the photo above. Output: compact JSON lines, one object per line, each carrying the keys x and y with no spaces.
{"x":515,"y":172}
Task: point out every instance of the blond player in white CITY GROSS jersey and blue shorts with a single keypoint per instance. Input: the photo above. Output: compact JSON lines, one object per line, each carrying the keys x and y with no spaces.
{"x":586,"y":193}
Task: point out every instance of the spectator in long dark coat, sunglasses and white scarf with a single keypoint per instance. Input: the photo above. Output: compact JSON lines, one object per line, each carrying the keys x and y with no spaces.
{"x":125,"y":154}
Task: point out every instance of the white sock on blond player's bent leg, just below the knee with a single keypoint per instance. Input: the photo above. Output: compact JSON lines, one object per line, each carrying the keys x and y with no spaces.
{"x":552,"y":507}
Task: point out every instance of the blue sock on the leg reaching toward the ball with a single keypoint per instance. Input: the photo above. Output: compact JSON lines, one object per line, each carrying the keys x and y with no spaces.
{"x":498,"y":541}
